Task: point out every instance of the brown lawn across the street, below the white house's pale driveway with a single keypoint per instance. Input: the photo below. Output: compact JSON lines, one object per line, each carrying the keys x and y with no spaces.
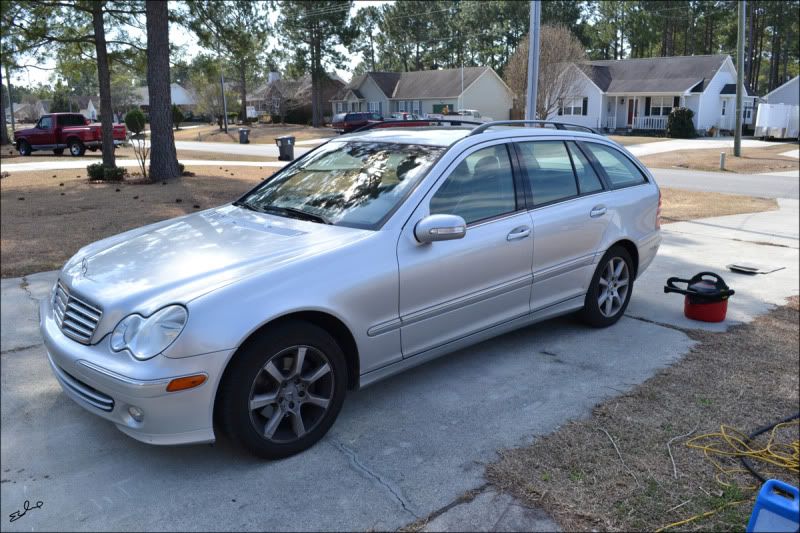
{"x":753,"y":160}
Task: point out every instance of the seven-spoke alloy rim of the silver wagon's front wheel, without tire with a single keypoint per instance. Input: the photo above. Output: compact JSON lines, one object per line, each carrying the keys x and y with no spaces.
{"x":291,"y":394}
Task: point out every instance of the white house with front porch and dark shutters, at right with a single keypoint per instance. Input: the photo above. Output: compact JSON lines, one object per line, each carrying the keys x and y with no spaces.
{"x":638,"y":94}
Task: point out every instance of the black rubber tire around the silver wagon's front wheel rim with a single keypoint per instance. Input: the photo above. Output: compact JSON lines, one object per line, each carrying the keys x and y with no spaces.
{"x":247,"y":372}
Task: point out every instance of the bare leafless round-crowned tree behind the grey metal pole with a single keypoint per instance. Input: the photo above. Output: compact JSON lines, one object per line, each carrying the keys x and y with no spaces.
{"x":559,"y":54}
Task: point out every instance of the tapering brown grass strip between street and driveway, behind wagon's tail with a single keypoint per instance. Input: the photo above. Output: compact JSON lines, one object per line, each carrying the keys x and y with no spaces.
{"x":679,"y":204}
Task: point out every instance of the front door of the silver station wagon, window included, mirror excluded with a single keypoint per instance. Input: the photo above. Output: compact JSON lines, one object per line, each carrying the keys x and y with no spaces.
{"x":450,"y":289}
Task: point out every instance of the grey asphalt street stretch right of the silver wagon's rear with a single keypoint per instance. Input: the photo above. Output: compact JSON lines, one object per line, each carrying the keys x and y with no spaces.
{"x":761,"y":185}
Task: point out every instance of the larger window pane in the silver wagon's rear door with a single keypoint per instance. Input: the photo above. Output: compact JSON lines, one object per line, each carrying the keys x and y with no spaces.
{"x":549,"y":171}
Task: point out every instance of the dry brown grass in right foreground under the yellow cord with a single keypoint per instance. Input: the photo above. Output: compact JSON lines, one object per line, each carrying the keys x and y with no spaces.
{"x":745,"y":378}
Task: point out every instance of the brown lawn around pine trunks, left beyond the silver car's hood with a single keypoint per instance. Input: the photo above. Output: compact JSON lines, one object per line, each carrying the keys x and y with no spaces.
{"x":44,"y":223}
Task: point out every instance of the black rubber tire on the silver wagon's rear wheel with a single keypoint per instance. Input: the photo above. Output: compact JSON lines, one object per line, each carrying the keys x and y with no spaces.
{"x":591,"y":313}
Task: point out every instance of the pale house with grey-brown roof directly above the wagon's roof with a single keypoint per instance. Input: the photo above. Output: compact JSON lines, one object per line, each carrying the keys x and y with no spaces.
{"x":427,"y":91}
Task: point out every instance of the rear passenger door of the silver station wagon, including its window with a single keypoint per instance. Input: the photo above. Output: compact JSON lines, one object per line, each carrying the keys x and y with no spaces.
{"x":566,"y":197}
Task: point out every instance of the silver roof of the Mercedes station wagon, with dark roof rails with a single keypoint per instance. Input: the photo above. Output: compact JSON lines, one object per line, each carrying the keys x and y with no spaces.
{"x":445,"y":136}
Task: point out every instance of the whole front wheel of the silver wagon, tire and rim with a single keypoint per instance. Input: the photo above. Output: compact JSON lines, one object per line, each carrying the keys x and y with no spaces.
{"x":283,"y":390}
